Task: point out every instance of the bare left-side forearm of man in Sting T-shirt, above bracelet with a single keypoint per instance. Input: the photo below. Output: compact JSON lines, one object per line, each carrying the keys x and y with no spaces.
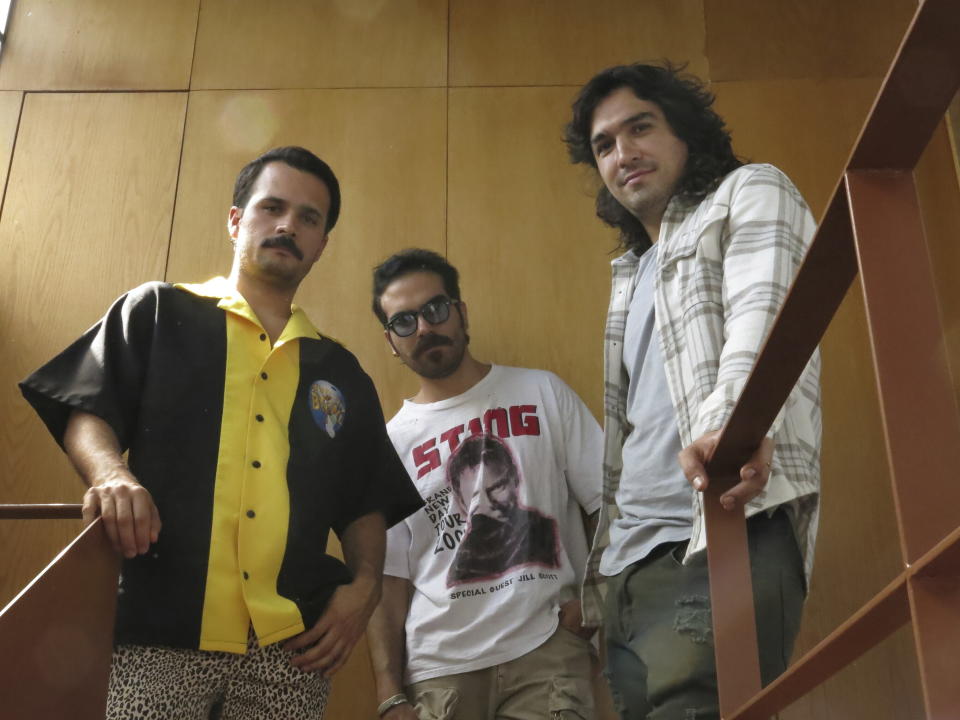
{"x":386,"y":637}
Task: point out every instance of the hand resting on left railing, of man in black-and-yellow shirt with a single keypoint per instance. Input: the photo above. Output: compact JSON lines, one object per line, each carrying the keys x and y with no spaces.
{"x":130,"y":517}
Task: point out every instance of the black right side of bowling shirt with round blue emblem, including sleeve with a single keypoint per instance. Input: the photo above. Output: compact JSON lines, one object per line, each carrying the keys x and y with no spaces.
{"x":342,"y":466}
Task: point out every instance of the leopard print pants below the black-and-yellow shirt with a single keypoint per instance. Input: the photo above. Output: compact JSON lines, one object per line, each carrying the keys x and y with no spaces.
{"x":161,"y":683}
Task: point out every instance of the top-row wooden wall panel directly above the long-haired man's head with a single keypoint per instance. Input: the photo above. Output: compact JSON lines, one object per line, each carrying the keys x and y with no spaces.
{"x":564,"y":42}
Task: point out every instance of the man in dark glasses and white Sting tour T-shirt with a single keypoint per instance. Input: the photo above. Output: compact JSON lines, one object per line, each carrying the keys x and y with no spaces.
{"x":480,"y":616}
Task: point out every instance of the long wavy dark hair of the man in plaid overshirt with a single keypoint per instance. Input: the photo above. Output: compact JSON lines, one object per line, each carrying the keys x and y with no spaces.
{"x":687,"y":107}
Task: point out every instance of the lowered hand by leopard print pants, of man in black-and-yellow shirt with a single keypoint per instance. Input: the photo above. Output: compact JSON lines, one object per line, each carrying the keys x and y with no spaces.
{"x":330,"y":641}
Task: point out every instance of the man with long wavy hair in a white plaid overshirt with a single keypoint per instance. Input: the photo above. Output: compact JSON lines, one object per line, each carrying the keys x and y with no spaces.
{"x":712,"y":246}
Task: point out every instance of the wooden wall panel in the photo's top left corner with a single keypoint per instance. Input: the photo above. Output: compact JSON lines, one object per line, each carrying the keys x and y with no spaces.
{"x":102,"y":45}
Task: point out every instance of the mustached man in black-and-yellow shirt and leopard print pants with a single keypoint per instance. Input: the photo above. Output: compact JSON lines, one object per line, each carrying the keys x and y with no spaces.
{"x":250,"y":436}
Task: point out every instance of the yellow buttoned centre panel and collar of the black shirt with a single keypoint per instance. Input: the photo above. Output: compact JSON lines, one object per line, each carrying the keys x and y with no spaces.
{"x":251,"y":499}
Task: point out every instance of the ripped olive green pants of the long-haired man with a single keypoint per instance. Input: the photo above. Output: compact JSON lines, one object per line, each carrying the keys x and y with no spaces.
{"x":659,"y":632}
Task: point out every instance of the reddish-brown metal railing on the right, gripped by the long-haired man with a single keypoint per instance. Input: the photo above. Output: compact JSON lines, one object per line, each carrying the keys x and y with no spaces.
{"x":872,"y":225}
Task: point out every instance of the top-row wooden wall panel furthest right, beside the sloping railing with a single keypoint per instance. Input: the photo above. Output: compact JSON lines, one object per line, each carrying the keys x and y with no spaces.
{"x":761,"y":40}
